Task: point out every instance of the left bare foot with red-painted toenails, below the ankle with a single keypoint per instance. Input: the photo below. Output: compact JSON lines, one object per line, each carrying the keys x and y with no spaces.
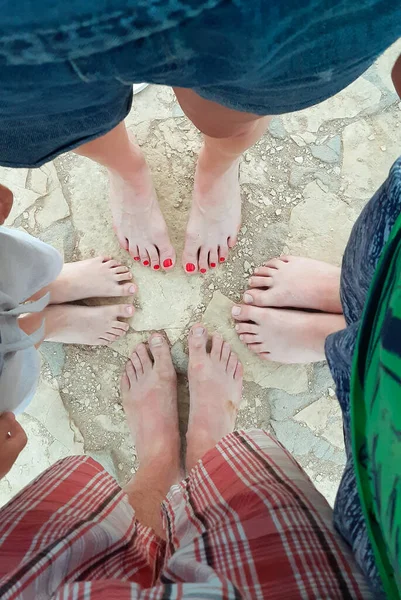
{"x":138,"y":221}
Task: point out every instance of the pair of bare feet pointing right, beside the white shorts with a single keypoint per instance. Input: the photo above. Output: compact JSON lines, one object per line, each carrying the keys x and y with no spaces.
{"x":75,"y":324}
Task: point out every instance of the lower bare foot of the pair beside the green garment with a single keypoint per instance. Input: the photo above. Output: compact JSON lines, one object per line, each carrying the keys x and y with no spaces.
{"x":283,"y":335}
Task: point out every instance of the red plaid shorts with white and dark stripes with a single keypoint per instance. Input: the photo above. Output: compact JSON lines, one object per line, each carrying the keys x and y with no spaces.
{"x":247,"y":523}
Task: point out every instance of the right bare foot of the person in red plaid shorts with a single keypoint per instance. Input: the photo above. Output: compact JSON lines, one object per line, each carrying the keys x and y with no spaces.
{"x":215,"y":387}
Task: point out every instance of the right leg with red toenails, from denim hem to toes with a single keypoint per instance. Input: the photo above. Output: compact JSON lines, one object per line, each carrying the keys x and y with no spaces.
{"x":216,"y":209}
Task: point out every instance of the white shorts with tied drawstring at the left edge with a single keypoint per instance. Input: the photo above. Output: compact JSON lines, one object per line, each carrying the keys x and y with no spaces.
{"x":26,"y":266}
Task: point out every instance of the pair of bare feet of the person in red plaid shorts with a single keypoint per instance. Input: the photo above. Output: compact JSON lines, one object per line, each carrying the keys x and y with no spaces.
{"x":149,"y":393}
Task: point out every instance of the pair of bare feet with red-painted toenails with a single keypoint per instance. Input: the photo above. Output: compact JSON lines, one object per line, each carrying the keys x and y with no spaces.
{"x":213,"y":223}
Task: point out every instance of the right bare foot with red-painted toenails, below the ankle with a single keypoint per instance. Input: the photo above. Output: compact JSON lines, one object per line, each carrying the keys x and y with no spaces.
{"x":214,"y":220}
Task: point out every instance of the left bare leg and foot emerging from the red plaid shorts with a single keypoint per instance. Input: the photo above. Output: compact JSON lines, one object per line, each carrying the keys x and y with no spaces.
{"x":149,"y":392}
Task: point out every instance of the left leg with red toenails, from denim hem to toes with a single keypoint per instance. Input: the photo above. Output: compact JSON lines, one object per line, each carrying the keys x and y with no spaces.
{"x":138,"y":222}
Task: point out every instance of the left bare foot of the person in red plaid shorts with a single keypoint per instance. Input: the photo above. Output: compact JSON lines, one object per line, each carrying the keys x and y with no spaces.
{"x":149,"y":394}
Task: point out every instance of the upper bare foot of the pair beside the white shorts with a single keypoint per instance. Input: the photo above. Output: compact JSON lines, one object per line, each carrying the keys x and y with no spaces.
{"x":93,"y":278}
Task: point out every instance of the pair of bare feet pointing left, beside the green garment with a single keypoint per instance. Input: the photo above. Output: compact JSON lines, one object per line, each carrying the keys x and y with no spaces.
{"x":290,"y":308}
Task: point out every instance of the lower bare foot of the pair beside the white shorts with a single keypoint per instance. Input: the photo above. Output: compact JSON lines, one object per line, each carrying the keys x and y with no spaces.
{"x":92,"y":325}
